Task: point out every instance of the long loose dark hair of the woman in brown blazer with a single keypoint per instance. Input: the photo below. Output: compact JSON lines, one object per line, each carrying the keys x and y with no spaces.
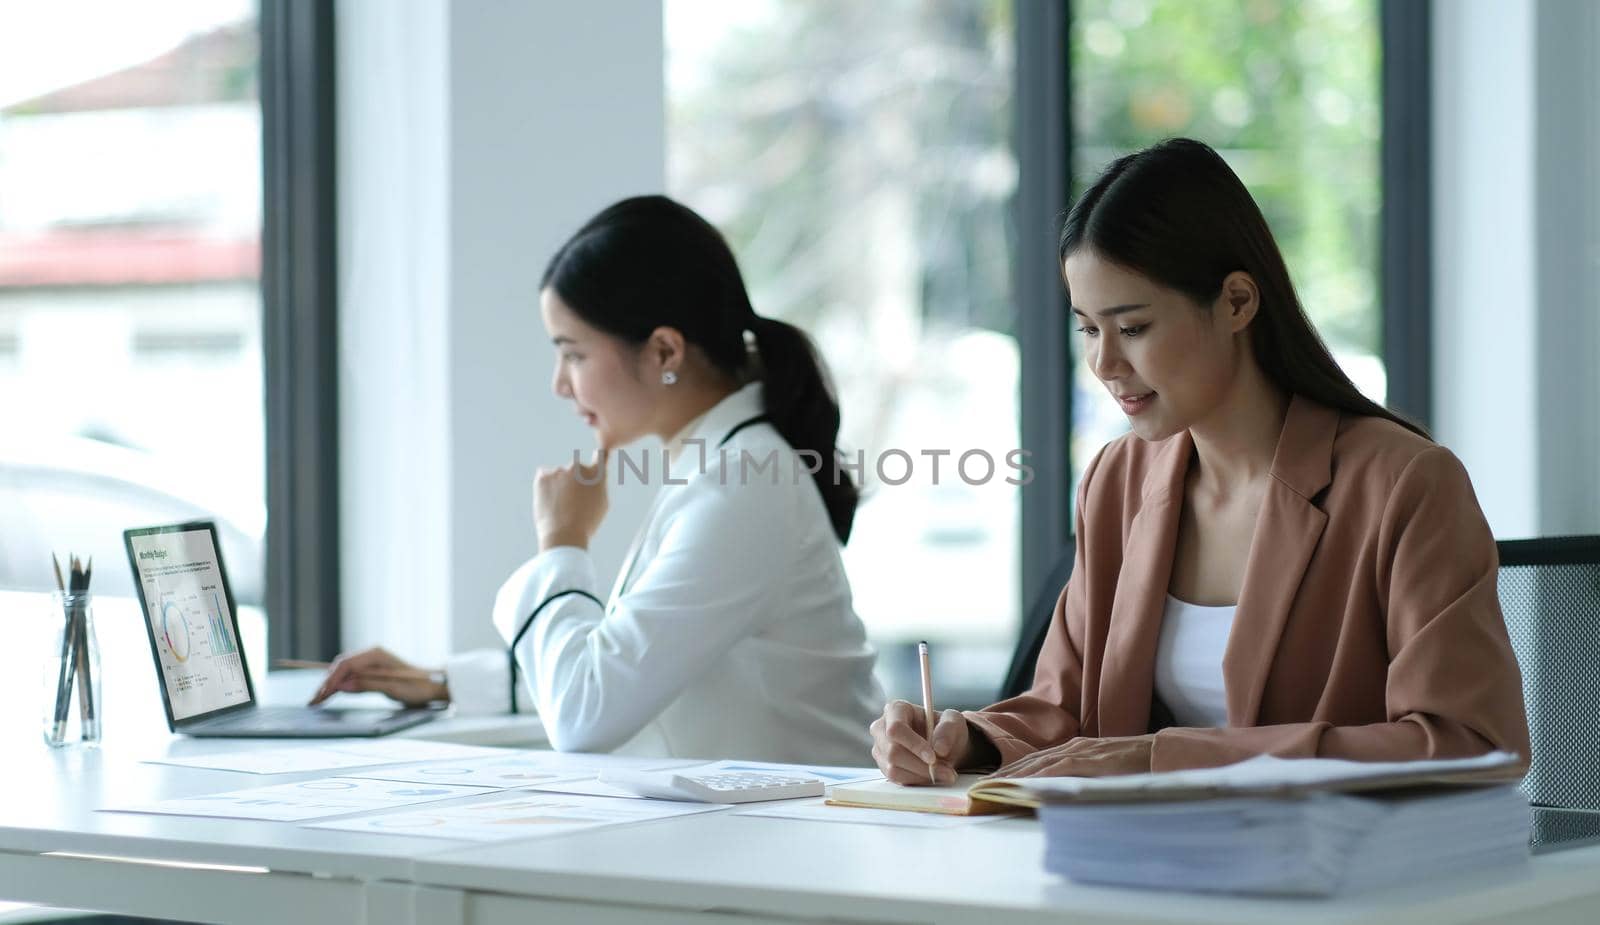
{"x":1180,"y":217}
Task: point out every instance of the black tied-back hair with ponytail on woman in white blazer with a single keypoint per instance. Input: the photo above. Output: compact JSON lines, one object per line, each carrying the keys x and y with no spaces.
{"x":649,"y":263}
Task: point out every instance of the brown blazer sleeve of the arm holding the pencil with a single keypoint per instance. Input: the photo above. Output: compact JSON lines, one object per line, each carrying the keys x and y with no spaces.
{"x":1047,"y":713}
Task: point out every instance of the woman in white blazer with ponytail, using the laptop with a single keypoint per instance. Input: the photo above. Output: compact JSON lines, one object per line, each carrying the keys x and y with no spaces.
{"x":730,"y":630}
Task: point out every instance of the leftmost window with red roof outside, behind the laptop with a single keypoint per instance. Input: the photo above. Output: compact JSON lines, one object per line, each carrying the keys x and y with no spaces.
{"x":130,"y":310}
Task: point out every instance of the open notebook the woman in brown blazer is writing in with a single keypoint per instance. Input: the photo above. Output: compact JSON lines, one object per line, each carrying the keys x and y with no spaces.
{"x":1260,"y":777}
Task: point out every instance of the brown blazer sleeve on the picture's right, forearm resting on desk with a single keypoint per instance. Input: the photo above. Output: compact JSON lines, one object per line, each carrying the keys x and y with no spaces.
{"x":1454,"y":687}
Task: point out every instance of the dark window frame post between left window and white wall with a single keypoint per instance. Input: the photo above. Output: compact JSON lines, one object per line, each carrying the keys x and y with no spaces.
{"x":300,"y":327}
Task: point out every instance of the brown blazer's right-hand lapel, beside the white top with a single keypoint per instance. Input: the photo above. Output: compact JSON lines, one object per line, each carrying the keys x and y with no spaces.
{"x":1286,"y":539}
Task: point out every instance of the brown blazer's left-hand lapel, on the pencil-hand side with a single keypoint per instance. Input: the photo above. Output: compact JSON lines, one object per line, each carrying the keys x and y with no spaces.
{"x":1129,"y":671}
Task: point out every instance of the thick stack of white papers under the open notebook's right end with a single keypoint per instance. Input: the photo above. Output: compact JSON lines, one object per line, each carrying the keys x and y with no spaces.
{"x":1295,"y":833}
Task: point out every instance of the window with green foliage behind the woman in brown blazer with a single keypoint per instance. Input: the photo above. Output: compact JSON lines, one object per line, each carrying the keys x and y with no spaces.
{"x":1289,"y":94}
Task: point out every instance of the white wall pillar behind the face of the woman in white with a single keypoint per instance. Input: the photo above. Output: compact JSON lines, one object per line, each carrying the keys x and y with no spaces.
{"x":473,"y":140}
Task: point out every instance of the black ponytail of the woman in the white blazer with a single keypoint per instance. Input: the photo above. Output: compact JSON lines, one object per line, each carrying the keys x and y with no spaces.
{"x":802,"y":409}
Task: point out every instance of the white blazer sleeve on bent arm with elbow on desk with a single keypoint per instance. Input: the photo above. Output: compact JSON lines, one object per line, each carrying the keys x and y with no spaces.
{"x":599,"y":678}
